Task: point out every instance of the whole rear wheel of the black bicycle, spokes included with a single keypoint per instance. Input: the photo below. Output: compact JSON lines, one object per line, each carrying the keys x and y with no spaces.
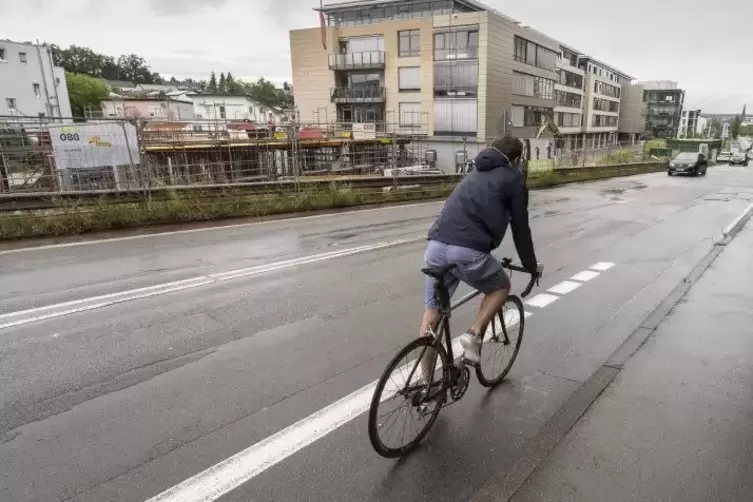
{"x":416,"y":398}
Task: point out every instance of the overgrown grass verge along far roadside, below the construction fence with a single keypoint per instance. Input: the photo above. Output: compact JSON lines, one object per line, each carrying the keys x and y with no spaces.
{"x":70,"y":218}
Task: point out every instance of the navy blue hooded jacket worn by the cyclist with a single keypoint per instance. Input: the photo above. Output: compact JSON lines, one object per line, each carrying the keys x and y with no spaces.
{"x":478,"y":211}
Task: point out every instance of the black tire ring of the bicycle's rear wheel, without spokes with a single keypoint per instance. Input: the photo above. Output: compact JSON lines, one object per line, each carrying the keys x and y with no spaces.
{"x":376,"y":440}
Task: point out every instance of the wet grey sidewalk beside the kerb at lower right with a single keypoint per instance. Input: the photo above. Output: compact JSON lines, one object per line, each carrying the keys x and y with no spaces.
{"x":677,"y":423}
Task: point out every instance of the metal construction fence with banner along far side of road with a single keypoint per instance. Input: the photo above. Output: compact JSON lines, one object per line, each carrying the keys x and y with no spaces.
{"x":40,"y":155}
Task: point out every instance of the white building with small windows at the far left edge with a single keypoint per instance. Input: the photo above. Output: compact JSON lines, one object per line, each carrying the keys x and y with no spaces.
{"x":30,"y":85}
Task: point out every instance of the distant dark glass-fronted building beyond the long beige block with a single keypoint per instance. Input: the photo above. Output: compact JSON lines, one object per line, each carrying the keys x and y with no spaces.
{"x":664,"y":101}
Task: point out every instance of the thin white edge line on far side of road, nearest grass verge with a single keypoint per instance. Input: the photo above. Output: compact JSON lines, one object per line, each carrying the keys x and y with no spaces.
{"x":208,"y":229}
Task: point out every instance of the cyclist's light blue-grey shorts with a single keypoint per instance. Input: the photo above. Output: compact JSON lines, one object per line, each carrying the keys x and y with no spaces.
{"x":481,"y":271}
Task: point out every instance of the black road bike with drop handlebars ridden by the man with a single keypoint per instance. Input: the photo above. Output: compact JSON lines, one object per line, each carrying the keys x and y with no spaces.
{"x":424,"y":397}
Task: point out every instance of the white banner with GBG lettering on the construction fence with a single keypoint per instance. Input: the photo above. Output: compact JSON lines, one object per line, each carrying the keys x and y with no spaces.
{"x":98,"y":145}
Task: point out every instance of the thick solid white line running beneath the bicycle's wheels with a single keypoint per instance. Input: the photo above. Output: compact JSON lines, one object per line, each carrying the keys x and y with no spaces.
{"x":222,"y":478}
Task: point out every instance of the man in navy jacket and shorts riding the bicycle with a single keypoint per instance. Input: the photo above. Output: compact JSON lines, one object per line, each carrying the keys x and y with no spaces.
{"x":471,"y":225}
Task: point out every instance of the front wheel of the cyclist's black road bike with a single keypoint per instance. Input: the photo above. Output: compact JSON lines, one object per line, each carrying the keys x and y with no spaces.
{"x":501,"y":343}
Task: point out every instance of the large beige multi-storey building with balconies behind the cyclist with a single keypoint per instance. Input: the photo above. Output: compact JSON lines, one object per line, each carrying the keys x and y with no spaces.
{"x":453,"y":69}
